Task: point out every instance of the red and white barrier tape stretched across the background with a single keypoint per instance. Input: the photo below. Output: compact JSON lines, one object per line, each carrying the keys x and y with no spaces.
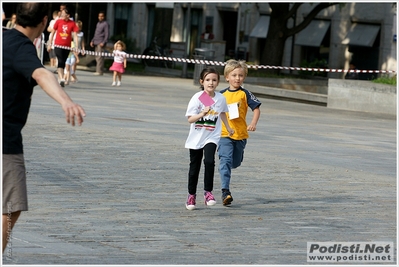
{"x":219,"y":63}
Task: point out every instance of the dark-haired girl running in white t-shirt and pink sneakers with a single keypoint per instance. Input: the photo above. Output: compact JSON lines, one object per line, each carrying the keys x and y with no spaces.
{"x":204,"y":135}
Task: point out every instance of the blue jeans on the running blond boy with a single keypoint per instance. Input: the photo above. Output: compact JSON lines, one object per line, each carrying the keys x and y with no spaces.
{"x":231,"y":154}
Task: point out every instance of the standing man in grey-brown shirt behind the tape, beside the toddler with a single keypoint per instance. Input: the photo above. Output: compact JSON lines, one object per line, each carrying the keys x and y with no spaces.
{"x":99,"y":41}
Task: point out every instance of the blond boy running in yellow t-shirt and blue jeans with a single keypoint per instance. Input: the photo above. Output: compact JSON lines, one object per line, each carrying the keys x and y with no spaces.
{"x":231,"y":148}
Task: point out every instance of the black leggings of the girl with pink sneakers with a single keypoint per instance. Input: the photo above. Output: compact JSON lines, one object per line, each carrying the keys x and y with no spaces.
{"x":208,"y":151}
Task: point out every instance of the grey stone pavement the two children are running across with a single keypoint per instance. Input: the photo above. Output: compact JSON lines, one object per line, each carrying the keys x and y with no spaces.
{"x":113,"y":190}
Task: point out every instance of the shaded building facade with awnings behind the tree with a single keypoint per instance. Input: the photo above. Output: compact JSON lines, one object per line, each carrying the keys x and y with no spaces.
{"x":362,"y":33}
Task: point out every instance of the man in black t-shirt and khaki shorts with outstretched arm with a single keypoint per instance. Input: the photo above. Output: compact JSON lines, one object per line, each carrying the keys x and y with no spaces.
{"x":22,"y":71}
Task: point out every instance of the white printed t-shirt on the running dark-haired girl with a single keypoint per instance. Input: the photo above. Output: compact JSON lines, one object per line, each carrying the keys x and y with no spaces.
{"x":208,"y":128}
